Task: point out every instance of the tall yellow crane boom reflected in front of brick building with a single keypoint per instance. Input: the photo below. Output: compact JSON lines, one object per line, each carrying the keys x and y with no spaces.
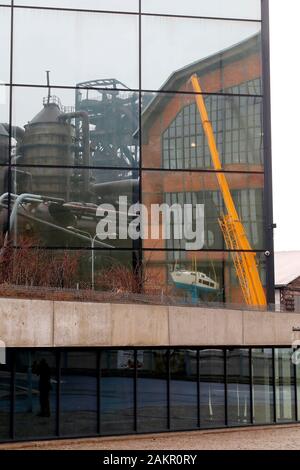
{"x":232,"y":228}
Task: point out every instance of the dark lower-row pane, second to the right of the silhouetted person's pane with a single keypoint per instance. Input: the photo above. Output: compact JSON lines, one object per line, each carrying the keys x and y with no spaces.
{"x":116,"y":391}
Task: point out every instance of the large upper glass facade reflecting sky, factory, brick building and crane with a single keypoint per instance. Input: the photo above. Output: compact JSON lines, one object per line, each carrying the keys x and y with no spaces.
{"x":99,"y":112}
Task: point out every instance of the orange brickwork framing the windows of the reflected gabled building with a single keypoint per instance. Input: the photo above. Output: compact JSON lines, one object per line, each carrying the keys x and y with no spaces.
{"x":156,"y":183}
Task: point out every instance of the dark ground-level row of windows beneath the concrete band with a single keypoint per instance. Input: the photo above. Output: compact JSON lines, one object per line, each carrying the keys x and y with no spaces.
{"x":60,"y":392}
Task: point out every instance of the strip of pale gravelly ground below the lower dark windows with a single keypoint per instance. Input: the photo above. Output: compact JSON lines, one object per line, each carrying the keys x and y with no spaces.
{"x":262,"y":438}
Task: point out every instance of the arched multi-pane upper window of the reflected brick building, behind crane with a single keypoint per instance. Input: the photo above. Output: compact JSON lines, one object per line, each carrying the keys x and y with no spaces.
{"x":237,"y":124}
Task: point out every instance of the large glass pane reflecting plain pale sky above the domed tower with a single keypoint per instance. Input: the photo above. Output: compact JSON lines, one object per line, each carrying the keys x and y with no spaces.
{"x":77,"y":47}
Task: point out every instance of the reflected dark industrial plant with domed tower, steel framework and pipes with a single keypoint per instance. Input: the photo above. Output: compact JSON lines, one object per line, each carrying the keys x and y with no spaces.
{"x":62,"y":153}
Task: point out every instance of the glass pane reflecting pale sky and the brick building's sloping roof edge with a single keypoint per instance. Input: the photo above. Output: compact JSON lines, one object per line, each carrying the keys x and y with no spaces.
{"x":175,"y":48}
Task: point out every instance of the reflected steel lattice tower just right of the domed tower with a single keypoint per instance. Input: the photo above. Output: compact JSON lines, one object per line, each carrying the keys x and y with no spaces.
{"x":113,"y":116}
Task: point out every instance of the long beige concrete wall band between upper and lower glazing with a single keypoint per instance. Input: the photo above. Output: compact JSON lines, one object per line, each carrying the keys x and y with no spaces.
{"x":42,"y":323}
